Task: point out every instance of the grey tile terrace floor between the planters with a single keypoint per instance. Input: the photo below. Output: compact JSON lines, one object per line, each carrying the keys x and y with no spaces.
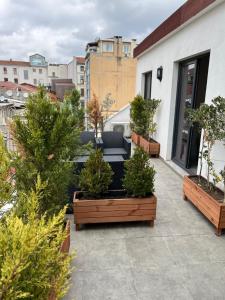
{"x":180,"y":258}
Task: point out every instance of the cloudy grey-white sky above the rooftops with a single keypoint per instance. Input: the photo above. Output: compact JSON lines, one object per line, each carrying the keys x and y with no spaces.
{"x":60,"y":29}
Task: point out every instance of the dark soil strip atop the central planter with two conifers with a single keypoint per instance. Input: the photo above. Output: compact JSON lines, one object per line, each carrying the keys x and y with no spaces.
{"x":112,"y":194}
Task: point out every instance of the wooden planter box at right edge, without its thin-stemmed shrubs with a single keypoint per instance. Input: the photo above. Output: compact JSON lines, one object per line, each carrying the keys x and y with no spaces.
{"x":211,"y":208}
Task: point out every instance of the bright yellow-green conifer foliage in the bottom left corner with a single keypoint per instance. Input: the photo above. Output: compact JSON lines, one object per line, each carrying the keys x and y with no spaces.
{"x":31,"y":262}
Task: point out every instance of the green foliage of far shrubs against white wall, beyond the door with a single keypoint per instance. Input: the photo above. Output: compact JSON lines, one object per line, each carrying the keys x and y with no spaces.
{"x":142,"y":115}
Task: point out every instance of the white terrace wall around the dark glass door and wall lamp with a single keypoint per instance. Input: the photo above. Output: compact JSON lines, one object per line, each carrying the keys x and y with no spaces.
{"x":204,"y":33}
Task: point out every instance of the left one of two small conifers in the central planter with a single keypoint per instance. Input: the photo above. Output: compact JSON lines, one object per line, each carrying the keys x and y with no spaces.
{"x":96,"y":175}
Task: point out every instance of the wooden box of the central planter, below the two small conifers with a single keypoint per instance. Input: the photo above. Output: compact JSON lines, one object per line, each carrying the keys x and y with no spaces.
{"x":113,"y":210}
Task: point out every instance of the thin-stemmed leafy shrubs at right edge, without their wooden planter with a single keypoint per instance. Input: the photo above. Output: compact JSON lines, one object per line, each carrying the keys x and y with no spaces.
{"x":211,"y":119}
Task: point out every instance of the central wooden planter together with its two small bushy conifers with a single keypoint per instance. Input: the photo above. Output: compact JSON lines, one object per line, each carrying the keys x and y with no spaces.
{"x":135,"y":203}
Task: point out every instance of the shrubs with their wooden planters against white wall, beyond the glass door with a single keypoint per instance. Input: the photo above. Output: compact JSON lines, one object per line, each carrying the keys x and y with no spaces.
{"x":143,"y":124}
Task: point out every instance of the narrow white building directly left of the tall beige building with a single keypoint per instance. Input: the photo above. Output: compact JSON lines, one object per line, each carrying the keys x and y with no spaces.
{"x":76,"y":72}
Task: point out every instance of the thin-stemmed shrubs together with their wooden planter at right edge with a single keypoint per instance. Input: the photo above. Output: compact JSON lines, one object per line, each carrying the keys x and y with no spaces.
{"x":203,"y":192}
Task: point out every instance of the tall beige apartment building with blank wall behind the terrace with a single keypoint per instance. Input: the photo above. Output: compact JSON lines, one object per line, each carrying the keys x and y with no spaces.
{"x":110,"y":71}
